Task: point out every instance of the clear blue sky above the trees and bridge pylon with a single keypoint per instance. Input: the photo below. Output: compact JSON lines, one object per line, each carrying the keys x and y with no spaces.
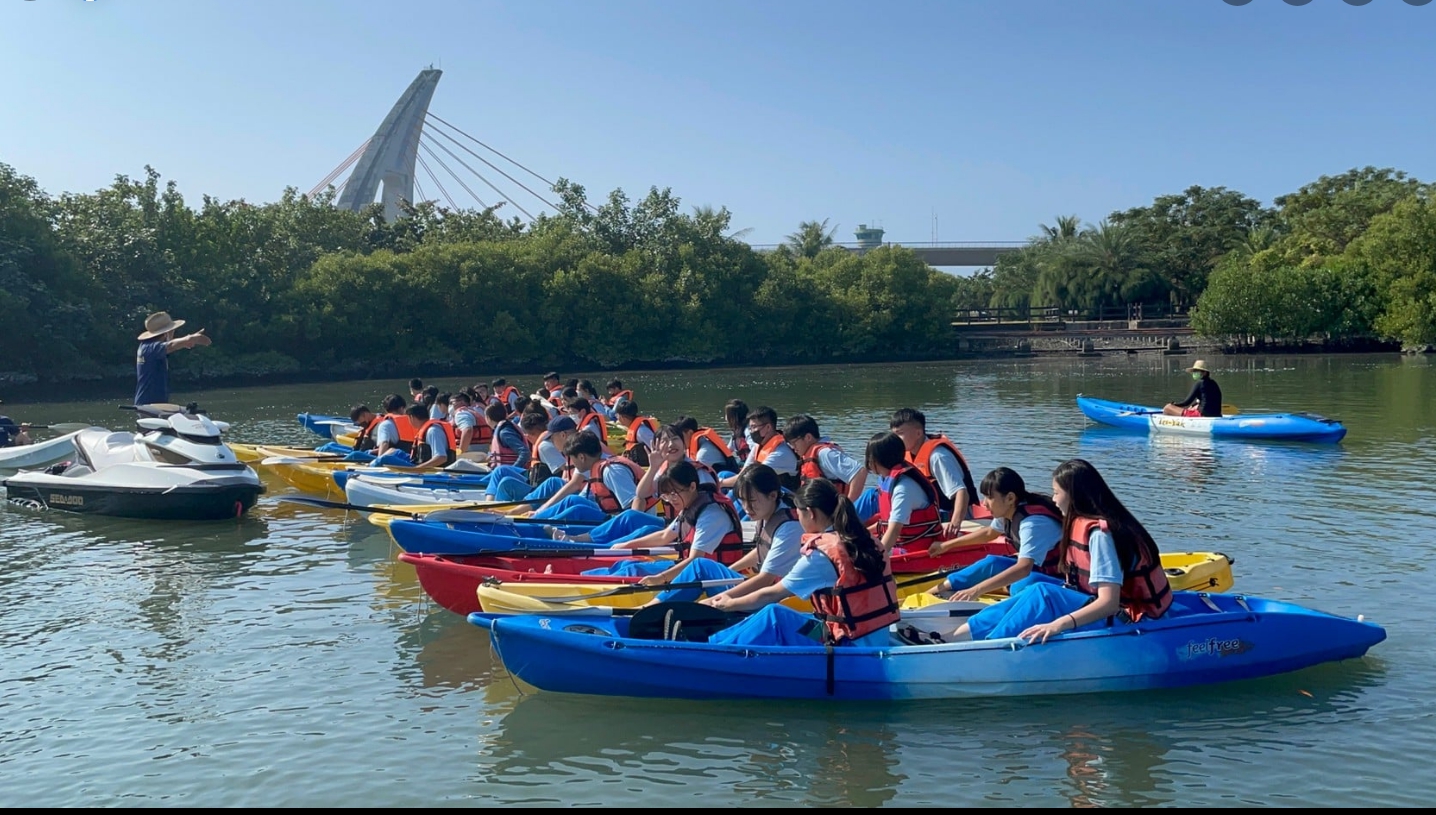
{"x":993,"y":116}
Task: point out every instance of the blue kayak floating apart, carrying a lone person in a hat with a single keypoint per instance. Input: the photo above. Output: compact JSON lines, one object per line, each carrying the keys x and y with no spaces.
{"x":1259,"y":427}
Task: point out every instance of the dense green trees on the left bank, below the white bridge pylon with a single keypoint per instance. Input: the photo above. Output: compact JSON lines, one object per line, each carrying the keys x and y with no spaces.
{"x":299,"y":286}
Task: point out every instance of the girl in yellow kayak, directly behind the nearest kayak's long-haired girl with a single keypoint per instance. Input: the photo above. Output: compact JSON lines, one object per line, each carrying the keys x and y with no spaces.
{"x":1032,"y":522}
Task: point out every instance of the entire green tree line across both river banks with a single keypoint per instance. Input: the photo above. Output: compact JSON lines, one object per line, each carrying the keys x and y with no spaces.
{"x":298,"y":286}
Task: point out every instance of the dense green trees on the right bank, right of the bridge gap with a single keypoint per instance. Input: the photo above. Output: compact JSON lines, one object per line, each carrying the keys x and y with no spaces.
{"x":1346,"y":259}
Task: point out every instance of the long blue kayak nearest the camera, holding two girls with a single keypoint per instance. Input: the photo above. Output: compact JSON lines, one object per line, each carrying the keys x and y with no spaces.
{"x":1243,"y":638}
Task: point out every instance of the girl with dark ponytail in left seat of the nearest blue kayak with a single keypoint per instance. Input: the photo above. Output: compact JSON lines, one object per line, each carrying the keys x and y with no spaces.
{"x":842,"y":572}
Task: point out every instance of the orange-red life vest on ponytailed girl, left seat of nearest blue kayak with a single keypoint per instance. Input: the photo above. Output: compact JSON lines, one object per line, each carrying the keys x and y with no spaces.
{"x":855,"y":608}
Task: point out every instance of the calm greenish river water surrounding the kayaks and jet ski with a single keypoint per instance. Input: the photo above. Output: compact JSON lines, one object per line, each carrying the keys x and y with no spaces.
{"x":291,"y":661}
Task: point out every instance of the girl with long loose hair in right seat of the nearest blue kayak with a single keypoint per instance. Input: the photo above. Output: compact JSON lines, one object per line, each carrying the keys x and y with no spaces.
{"x":1111,"y":567}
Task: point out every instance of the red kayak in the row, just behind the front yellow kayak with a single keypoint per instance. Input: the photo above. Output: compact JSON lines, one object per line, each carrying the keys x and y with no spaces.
{"x":453,"y":580}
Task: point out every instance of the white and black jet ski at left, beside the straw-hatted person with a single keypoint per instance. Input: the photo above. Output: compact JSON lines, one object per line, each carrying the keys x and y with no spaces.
{"x":177,"y":468}
